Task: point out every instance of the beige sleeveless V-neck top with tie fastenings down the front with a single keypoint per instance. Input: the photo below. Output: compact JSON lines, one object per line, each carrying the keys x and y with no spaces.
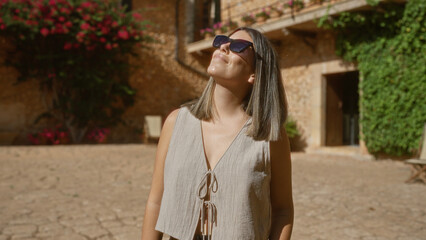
{"x":239,"y":186}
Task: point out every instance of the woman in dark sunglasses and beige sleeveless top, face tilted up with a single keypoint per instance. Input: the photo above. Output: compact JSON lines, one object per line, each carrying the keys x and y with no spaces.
{"x":223,"y":168}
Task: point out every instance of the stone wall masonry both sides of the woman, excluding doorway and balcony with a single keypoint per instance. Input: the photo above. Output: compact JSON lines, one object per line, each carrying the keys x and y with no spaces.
{"x":163,"y":83}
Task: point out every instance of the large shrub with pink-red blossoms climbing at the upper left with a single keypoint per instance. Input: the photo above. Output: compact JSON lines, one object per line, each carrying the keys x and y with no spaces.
{"x":77,"y":50}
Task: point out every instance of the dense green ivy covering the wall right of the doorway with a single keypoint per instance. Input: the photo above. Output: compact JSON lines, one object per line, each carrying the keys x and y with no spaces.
{"x":388,"y":45}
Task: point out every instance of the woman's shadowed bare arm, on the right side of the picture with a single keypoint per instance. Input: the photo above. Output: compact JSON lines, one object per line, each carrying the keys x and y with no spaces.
{"x":281,"y":189}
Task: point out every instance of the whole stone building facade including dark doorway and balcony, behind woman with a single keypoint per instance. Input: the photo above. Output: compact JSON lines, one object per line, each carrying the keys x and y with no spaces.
{"x":322,"y":90}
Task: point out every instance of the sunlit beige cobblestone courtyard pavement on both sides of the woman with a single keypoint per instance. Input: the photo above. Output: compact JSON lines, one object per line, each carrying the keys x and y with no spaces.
{"x":99,"y":192}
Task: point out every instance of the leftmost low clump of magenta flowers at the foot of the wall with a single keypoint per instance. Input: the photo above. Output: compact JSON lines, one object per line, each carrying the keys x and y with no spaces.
{"x":57,"y":135}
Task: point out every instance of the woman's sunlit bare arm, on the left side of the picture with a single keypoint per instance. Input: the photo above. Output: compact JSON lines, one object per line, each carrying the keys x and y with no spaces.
{"x":152,"y":207}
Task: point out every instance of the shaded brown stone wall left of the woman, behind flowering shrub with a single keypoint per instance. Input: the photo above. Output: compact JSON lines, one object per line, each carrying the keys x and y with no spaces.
{"x":162,"y":83}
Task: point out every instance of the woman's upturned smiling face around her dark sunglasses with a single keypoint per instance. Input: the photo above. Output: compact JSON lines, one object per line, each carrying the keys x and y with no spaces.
{"x":231,"y":66}
